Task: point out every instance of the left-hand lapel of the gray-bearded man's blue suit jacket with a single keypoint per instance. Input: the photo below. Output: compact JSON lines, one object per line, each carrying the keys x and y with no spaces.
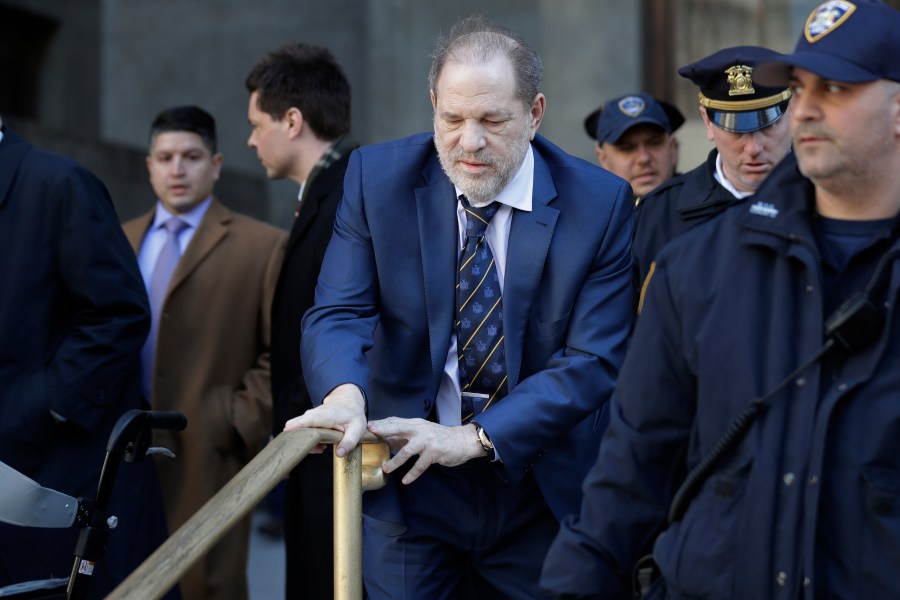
{"x":438,"y":240}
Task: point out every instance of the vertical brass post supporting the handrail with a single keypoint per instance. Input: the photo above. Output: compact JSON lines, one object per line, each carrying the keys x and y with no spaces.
{"x":348,"y":525}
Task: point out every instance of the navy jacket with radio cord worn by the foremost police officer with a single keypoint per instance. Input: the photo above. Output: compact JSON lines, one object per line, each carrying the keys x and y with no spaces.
{"x":808,"y":504}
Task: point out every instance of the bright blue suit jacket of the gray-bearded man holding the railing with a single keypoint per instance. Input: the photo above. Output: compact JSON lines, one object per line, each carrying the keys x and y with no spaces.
{"x":385,"y":306}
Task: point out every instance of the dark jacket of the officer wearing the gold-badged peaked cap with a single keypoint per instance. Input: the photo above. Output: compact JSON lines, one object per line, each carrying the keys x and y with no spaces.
{"x":677,"y":205}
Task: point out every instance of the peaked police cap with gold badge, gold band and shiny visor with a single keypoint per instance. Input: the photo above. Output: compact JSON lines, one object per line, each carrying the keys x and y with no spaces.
{"x":732,"y":101}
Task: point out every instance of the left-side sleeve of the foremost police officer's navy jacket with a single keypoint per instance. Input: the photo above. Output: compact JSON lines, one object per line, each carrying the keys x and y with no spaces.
{"x":641,"y":460}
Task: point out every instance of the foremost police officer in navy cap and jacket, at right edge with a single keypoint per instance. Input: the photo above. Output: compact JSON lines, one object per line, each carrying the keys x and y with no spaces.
{"x":753,"y":449}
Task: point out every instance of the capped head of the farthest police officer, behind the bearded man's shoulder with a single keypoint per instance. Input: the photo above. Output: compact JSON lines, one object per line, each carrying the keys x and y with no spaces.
{"x":635,"y":137}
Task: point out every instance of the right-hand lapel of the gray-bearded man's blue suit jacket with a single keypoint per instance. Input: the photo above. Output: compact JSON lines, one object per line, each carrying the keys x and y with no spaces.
{"x":529,"y":242}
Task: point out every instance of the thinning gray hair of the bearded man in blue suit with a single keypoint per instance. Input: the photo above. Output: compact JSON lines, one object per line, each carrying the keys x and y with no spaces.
{"x":477,"y":40}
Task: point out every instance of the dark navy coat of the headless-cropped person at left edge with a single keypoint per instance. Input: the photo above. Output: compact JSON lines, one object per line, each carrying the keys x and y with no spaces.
{"x":73,"y":318}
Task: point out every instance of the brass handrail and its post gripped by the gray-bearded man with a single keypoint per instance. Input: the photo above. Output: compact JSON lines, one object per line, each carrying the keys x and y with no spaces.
{"x":359,"y":470}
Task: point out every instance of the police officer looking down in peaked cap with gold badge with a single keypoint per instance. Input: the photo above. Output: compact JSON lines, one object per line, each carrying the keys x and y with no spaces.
{"x":745,"y":121}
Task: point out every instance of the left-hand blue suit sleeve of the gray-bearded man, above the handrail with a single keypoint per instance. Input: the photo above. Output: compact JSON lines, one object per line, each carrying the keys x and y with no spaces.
{"x":339,"y":328}
